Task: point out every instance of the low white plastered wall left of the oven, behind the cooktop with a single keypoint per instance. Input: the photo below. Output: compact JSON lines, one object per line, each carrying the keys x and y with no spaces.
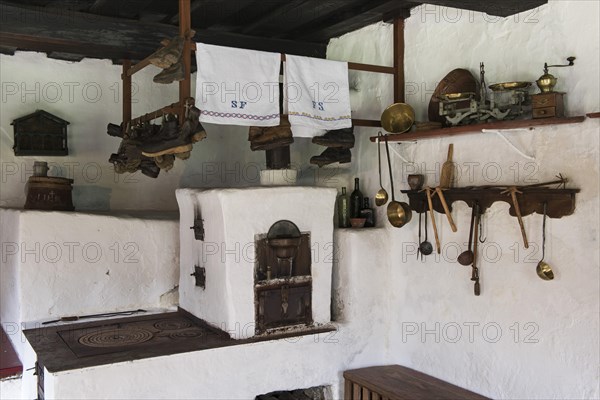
{"x":57,"y":264}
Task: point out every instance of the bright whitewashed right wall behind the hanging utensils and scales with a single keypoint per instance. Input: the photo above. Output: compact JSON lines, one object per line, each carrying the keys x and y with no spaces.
{"x":548,"y":343}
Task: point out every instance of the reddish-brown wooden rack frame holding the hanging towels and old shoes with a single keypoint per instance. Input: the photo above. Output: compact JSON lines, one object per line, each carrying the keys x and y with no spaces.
{"x":185,"y":85}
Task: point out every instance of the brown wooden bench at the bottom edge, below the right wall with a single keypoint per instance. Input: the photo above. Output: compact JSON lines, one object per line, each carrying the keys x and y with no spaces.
{"x":394,"y":382}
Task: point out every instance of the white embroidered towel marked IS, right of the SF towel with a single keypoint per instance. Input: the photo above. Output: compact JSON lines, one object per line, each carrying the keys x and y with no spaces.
{"x":317,"y":93}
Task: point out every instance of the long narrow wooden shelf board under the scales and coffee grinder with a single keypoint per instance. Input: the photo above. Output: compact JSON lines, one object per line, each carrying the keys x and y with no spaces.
{"x":476,"y":128}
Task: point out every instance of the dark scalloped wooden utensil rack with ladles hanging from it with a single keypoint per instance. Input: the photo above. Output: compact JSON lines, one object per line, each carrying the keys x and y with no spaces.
{"x":561,"y":202}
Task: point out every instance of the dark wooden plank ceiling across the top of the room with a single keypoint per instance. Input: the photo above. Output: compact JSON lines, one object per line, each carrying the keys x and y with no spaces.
{"x":133,"y":28}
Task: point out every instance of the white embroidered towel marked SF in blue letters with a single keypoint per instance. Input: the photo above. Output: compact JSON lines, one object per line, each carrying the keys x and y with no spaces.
{"x":237,"y":86}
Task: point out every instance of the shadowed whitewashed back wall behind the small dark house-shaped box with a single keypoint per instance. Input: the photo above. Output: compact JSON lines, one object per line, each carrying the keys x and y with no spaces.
{"x":88,"y":95}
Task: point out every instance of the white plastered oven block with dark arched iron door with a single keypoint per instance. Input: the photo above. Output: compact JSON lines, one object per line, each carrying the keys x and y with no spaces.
{"x":260,"y":259}
